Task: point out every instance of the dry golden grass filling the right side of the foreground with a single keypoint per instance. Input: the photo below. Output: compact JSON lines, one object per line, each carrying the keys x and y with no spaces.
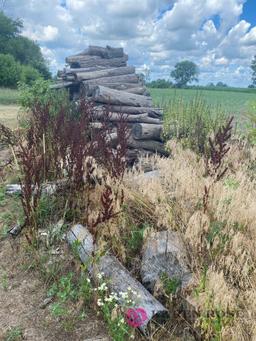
{"x":221,"y":240}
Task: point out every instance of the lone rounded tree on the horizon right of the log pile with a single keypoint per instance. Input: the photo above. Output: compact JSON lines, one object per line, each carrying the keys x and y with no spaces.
{"x":185,"y":72}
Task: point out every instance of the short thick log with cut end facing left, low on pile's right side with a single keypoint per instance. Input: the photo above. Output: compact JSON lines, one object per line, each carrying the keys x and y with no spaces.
{"x":143,"y":131}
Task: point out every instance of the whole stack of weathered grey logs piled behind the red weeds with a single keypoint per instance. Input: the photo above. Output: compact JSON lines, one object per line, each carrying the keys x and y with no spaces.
{"x":102,"y":75}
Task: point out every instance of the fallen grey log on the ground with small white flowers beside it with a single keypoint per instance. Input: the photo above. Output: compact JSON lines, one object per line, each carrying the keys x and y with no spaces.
{"x":117,"y":276}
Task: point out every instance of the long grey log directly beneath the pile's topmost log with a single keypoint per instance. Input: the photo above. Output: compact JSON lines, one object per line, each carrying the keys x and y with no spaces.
{"x":83,"y":61}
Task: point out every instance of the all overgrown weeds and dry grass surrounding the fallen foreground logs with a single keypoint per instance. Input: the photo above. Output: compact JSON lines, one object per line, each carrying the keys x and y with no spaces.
{"x":205,"y":191}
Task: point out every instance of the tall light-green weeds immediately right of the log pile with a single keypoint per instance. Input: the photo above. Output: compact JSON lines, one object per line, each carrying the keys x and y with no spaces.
{"x":192,"y":123}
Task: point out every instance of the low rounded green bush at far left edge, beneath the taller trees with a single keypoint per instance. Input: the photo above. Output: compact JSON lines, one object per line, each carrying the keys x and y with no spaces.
{"x":10,"y":71}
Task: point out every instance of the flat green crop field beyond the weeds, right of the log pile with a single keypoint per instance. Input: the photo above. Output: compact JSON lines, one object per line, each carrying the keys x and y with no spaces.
{"x":233,"y":102}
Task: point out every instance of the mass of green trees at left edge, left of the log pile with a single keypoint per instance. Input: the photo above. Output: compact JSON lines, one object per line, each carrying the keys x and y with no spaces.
{"x":21,"y":59}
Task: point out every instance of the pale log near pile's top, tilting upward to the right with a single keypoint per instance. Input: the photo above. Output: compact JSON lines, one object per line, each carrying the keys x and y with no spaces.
{"x":126,"y":70}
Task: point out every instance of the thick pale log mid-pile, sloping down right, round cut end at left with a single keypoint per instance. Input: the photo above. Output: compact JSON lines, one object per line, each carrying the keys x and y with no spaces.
{"x":106,"y":95}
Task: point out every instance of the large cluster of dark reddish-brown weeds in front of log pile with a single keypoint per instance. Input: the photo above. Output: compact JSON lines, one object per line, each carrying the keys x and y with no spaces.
{"x":64,"y":144}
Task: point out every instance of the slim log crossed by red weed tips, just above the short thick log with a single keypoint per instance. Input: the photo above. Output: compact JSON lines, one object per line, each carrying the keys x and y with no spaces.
{"x":116,"y":117}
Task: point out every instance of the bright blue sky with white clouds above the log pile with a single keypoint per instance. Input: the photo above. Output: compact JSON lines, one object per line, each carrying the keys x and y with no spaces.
{"x":218,"y":35}
